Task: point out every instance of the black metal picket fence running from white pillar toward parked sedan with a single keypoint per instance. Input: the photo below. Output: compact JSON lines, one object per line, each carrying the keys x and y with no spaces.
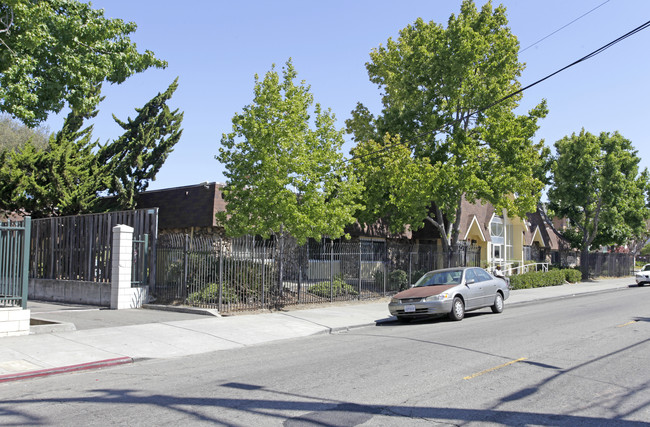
{"x":248,"y":274}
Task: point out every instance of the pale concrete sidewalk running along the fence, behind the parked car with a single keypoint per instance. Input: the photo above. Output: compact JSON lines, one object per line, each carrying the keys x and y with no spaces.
{"x":102,"y":337}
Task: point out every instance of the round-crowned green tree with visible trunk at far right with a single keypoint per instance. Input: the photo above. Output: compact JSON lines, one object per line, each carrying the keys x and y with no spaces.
{"x":596,"y":184}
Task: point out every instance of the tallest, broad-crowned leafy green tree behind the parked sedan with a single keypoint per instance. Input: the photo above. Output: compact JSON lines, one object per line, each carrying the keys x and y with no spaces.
{"x":439,"y":91}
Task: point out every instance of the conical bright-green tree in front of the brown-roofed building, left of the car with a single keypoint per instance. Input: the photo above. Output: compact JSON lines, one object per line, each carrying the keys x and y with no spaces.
{"x":285,"y":173}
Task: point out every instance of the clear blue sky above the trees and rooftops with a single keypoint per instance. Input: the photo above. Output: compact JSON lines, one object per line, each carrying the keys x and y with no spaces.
{"x":216,"y":47}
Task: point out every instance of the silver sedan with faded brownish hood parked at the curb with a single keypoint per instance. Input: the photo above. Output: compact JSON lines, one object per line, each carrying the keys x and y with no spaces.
{"x":452,"y":292}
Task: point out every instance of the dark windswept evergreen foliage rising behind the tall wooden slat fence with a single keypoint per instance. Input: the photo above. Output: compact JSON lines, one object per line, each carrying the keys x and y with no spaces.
{"x":71,"y":174}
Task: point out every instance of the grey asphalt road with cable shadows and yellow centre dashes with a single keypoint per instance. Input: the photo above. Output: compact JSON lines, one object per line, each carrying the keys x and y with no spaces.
{"x":570,"y":362}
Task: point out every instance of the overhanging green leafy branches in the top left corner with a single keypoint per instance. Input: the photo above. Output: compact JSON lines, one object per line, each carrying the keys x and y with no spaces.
{"x":54,"y":52}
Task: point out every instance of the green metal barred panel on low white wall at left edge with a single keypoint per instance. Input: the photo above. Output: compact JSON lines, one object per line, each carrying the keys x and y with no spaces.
{"x":14,"y":262}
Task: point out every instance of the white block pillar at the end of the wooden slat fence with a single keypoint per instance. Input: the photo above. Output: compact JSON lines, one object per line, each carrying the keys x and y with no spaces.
{"x":122,"y":262}
